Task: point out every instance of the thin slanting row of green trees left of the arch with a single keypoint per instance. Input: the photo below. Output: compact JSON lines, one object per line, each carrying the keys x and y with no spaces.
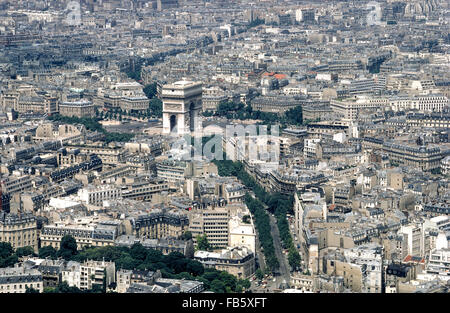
{"x":92,"y":124}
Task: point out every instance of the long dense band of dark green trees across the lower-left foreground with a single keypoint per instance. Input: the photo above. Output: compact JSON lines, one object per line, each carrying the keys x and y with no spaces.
{"x":174,"y":265}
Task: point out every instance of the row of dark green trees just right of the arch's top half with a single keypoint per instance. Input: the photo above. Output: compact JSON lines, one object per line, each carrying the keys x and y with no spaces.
{"x":240,"y":111}
